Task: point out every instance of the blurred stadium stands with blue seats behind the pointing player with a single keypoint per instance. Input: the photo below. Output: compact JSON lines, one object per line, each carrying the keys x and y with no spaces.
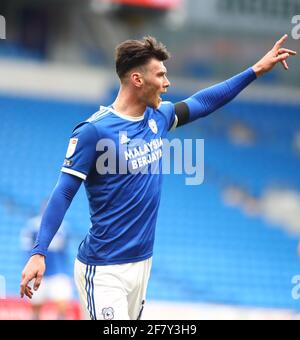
{"x":226,"y":249}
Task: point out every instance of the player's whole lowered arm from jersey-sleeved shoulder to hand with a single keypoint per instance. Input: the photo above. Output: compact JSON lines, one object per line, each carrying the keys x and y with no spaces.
{"x":79,"y":161}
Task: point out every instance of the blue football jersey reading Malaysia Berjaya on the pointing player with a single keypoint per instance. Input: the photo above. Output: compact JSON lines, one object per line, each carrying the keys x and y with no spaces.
{"x":120,"y":160}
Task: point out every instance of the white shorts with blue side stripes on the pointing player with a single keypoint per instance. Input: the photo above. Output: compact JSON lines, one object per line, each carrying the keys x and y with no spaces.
{"x":114,"y":292}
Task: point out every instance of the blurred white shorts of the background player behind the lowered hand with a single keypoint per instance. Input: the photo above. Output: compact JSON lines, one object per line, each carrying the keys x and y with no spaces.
{"x":53,"y":288}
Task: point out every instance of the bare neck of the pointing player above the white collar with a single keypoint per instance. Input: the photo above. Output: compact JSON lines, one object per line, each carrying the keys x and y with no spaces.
{"x":128,"y":105}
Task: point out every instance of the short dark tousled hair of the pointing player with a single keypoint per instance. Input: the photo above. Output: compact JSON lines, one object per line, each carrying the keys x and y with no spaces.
{"x":135,"y":53}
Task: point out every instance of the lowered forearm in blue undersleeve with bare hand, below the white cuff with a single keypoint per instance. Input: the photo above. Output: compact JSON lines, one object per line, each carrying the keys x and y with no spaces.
{"x":59,"y":202}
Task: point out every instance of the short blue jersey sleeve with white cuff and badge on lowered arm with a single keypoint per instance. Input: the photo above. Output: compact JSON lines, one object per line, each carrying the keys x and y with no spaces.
{"x":81,"y":153}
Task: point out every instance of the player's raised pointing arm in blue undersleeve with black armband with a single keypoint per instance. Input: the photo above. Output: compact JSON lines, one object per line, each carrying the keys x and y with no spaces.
{"x":209,"y":100}
